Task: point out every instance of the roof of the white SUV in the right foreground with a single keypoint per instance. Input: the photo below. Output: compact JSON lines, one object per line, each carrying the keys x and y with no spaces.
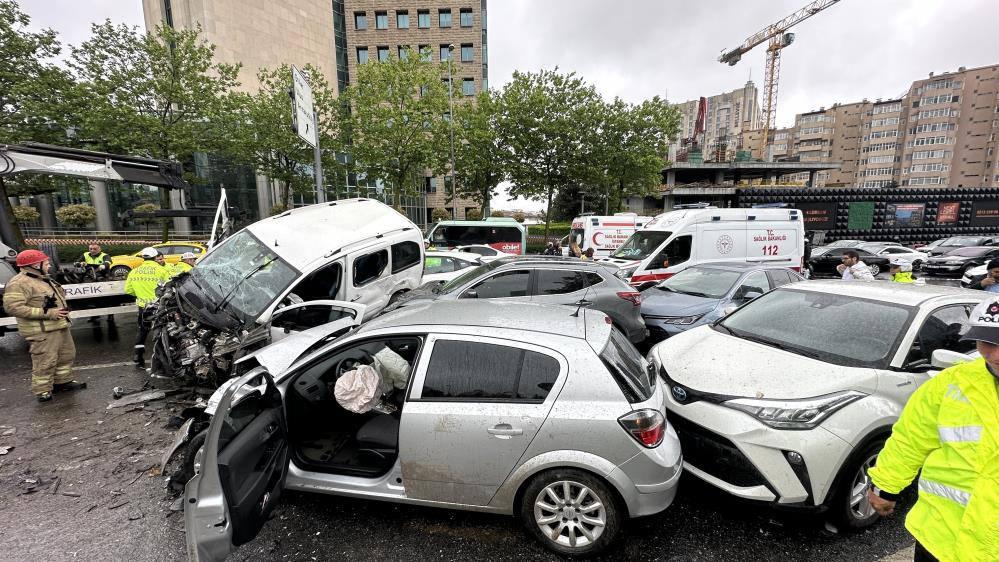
{"x":899,"y":293}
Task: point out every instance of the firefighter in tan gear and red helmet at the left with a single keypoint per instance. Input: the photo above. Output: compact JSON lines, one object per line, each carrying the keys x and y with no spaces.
{"x":39,"y":304}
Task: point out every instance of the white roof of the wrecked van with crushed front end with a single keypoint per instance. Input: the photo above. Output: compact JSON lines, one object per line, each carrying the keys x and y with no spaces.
{"x":302,"y":235}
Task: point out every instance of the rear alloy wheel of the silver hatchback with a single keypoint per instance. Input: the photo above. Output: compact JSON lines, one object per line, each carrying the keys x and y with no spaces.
{"x":571,"y":512}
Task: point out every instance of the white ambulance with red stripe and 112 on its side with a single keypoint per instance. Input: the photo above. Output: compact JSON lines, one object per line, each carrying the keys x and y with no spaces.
{"x":676,"y":240}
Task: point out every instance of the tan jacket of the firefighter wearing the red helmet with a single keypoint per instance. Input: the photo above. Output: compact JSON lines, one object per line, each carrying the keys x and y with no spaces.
{"x":24,"y":298}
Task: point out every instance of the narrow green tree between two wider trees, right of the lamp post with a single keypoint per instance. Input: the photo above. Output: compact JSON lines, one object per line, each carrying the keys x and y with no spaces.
{"x":479,"y":152}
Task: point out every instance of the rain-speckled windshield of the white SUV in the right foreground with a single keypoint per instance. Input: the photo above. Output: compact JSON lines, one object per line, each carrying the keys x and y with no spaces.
{"x":838,"y":329}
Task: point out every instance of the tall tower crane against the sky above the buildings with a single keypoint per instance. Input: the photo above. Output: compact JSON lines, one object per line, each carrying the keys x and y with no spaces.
{"x":779,"y":38}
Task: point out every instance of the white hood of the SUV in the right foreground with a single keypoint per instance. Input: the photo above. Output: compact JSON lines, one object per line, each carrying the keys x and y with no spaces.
{"x":708,"y":361}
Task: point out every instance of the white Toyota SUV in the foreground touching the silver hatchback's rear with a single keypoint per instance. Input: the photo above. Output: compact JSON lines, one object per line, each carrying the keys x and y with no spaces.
{"x":789,"y":399}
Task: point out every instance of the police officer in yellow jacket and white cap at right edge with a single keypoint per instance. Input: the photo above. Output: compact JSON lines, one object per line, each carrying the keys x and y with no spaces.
{"x":948,"y":433}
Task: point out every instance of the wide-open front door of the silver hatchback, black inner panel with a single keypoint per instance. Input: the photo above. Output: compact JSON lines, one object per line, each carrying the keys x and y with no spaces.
{"x":243,"y":465}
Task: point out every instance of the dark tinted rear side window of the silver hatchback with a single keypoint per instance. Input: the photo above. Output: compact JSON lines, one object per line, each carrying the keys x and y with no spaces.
{"x":472,"y":371}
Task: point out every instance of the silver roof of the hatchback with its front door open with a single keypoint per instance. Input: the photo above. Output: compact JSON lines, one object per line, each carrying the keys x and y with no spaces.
{"x":487,"y":313}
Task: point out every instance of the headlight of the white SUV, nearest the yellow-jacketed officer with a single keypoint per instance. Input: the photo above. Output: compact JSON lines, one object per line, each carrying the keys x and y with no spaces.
{"x":794,"y":414}
